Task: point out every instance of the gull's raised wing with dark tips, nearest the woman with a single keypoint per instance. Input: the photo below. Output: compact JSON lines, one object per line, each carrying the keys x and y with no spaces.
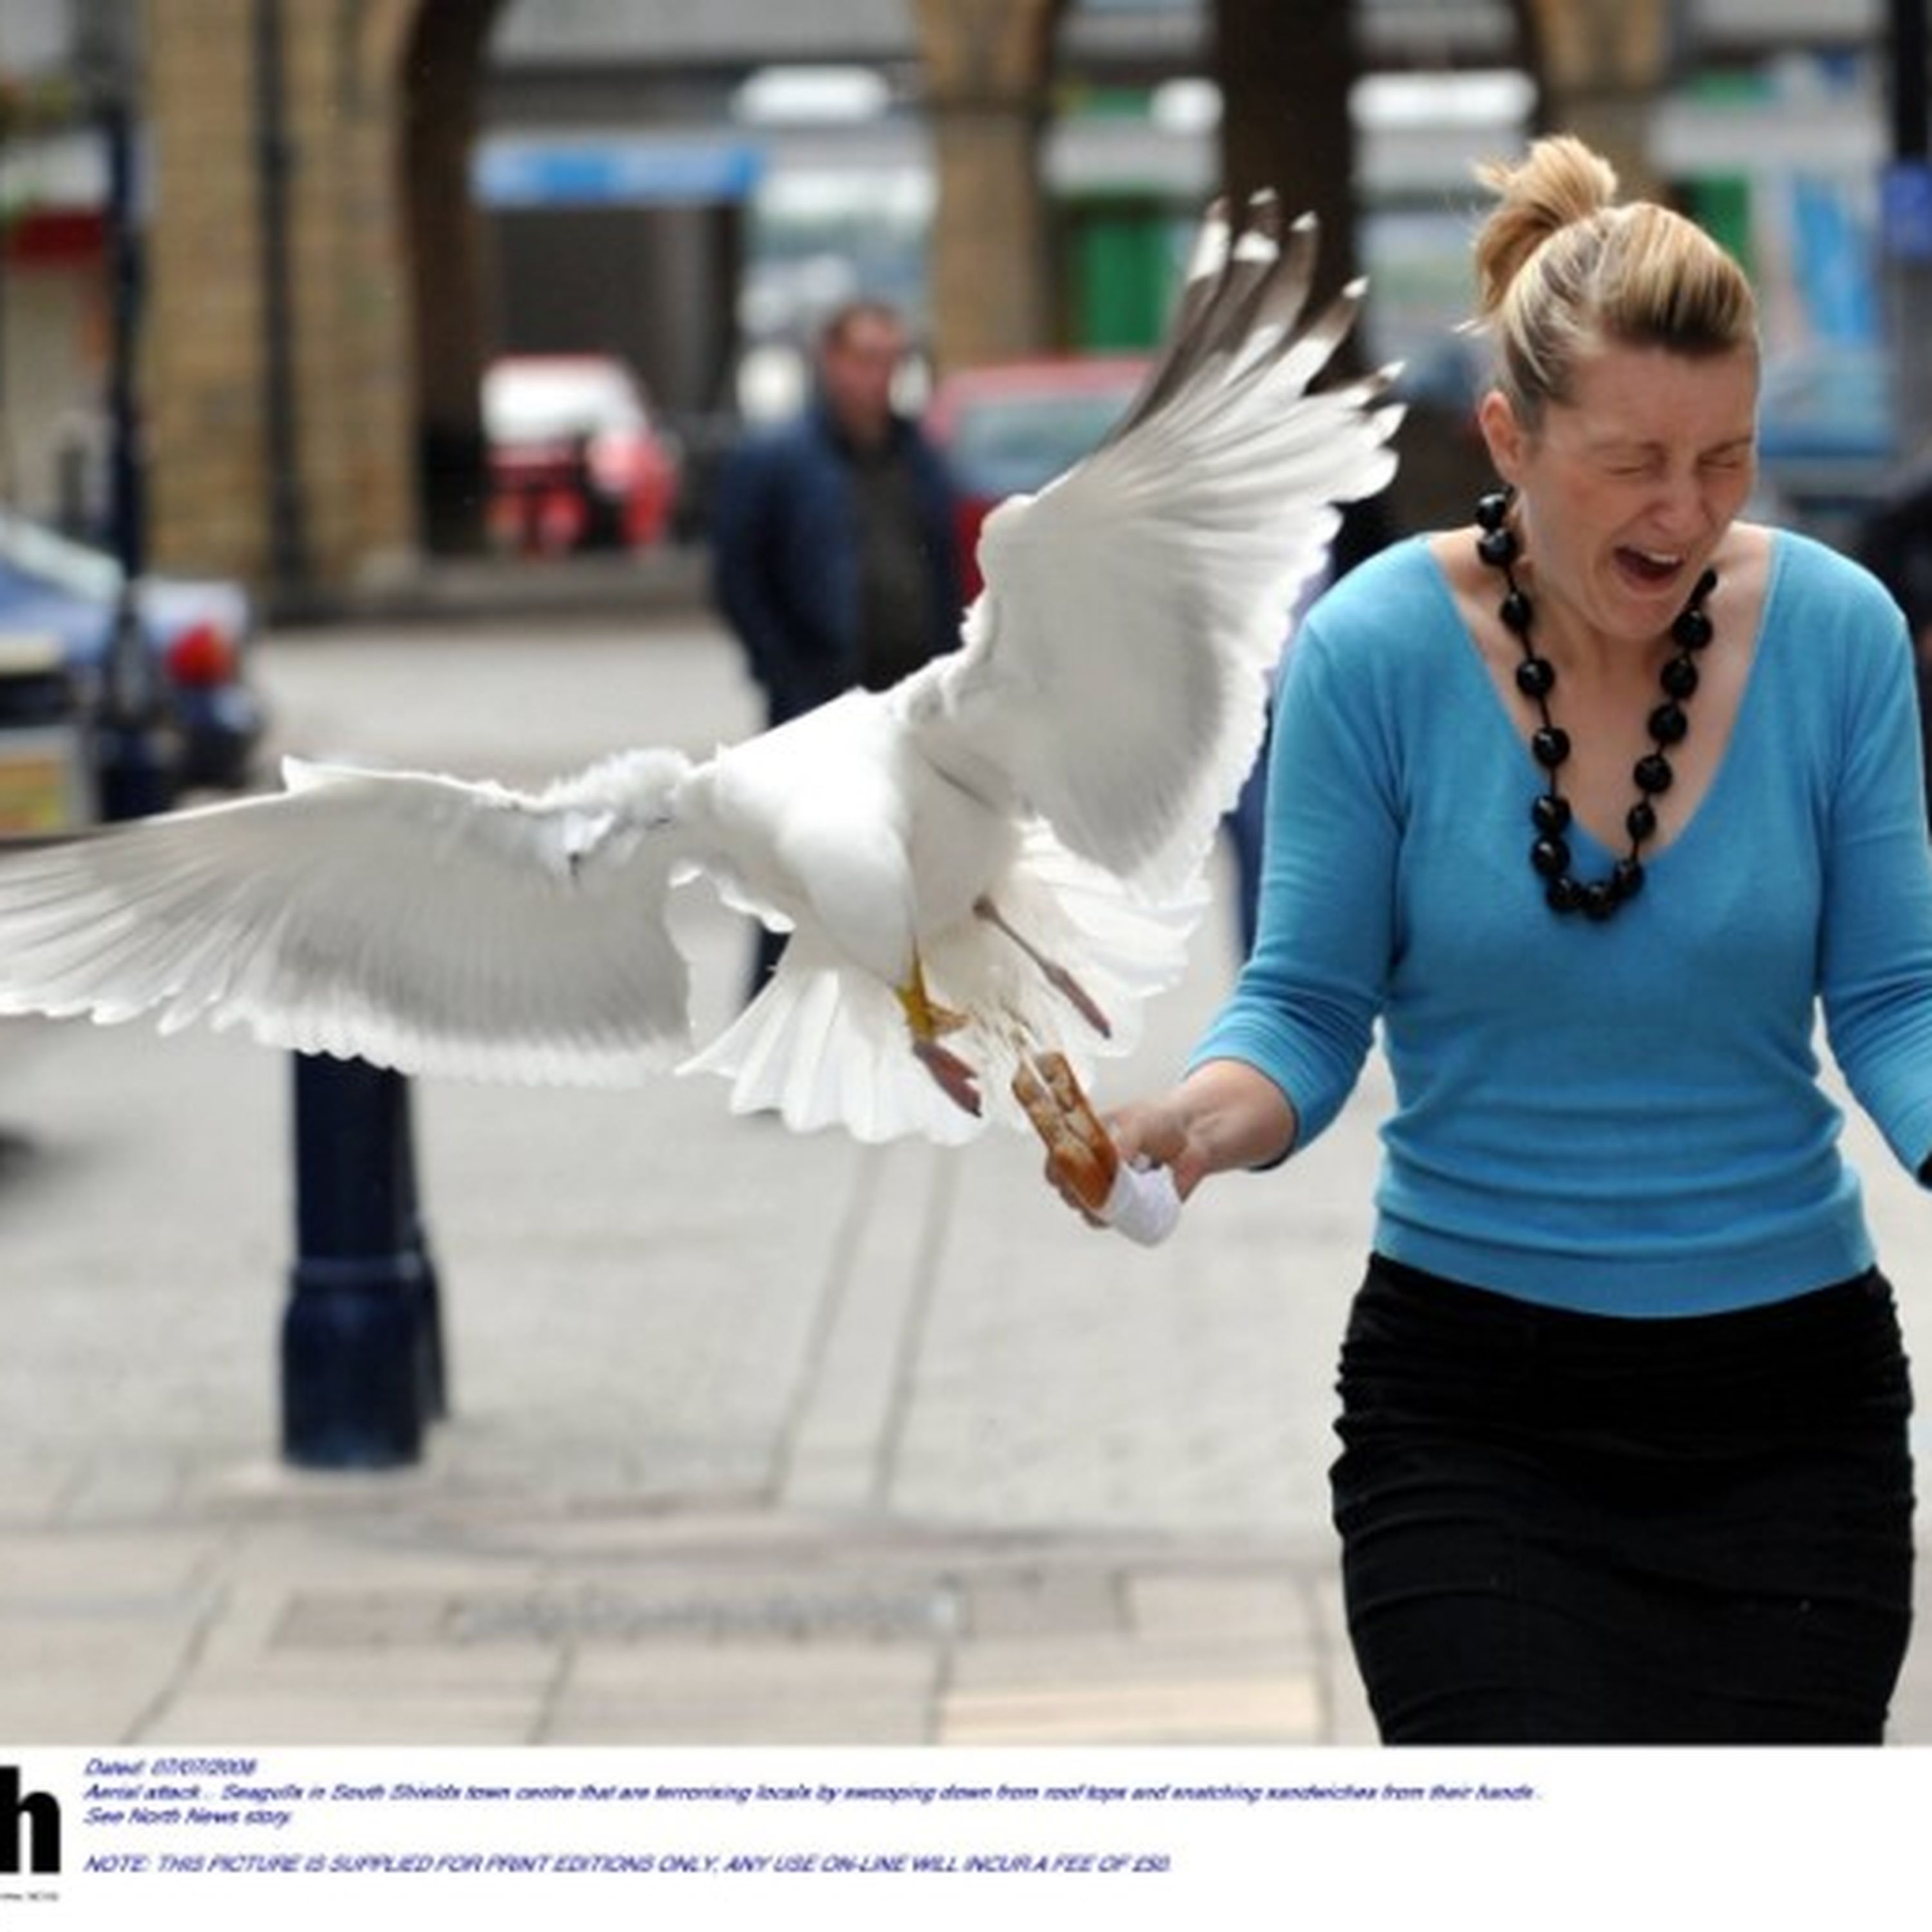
{"x":1116,"y":666}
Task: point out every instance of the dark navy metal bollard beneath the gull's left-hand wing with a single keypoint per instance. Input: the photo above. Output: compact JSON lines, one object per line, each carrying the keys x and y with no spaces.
{"x":362,"y":1336}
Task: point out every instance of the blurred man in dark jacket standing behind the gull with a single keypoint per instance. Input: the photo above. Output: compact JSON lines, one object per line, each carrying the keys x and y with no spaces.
{"x":836,"y":548}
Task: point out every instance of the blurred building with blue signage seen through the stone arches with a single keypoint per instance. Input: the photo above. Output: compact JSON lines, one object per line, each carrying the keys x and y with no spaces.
{"x":762,"y":179}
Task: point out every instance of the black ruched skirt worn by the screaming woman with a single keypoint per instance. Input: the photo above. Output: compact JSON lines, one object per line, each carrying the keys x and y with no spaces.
{"x":1597,"y":1531}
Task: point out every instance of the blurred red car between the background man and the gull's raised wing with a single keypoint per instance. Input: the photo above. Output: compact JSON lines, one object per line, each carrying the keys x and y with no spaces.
{"x":1009,"y":428}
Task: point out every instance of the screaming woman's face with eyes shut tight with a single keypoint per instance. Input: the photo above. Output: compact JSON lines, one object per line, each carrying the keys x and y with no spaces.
{"x":1626,"y":492}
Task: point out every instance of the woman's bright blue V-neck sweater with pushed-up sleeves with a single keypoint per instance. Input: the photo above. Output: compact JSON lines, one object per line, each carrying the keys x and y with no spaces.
{"x":1618,"y":1118}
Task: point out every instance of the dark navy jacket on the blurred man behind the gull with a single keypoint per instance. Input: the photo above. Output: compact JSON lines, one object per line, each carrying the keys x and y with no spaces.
{"x":785,"y":557}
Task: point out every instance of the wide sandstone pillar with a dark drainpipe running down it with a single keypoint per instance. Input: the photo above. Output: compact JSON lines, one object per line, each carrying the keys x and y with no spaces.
{"x":206,"y":353}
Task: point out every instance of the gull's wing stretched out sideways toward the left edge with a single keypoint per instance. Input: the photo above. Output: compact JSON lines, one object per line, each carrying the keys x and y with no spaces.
{"x":418,"y":923}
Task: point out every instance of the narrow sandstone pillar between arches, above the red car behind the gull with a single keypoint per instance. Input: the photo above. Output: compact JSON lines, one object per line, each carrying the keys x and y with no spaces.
{"x":988,"y":65}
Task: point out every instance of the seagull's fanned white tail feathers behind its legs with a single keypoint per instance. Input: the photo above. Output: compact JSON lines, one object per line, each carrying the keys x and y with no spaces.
{"x":828,"y":1046}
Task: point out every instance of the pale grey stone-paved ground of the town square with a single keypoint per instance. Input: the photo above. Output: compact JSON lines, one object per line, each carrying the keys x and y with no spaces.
{"x":753,"y":1438}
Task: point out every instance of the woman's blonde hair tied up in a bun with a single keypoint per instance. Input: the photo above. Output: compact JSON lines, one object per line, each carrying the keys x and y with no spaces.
{"x":1566,"y":270}
